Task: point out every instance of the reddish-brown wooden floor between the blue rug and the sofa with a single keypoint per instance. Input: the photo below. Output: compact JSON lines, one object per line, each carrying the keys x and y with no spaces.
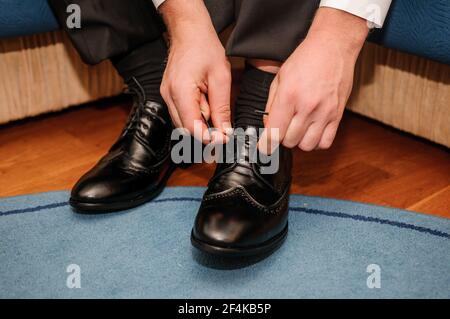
{"x":368,"y":162}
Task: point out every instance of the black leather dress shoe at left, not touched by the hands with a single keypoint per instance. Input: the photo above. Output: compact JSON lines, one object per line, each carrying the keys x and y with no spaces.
{"x":136,"y":167}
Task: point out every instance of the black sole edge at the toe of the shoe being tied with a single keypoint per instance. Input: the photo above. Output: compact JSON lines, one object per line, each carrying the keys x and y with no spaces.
{"x":267,"y":247}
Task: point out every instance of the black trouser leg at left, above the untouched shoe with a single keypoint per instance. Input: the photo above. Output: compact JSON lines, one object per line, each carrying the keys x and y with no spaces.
{"x":110,"y":28}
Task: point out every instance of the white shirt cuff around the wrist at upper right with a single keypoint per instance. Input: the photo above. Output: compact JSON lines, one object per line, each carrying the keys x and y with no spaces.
{"x":374,"y":11}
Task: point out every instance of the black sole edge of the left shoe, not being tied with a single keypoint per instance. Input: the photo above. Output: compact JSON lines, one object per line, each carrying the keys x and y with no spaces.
{"x":111,"y":207}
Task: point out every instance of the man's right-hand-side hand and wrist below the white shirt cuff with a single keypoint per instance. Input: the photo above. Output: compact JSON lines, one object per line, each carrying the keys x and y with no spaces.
{"x":308,"y":96}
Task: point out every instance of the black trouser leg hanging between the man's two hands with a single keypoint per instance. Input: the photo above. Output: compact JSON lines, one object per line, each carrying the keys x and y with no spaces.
{"x":264,"y":29}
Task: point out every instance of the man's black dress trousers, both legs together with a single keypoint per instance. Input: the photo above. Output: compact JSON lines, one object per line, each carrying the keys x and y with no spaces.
{"x":269,"y":29}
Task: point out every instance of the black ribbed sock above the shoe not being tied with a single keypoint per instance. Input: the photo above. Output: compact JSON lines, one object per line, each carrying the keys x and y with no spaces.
{"x":146,"y":64}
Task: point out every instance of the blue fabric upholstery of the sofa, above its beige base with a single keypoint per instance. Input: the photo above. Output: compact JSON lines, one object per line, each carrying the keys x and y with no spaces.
{"x":420,"y":27}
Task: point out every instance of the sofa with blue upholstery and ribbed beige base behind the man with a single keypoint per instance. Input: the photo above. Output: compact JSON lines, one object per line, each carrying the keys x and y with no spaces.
{"x":402,"y":77}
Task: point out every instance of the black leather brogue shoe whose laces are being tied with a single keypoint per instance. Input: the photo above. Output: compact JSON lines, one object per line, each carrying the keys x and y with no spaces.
{"x":244,"y":212}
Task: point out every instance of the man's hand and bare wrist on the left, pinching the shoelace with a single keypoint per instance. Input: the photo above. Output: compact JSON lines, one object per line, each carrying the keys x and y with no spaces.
{"x":197,"y":79}
